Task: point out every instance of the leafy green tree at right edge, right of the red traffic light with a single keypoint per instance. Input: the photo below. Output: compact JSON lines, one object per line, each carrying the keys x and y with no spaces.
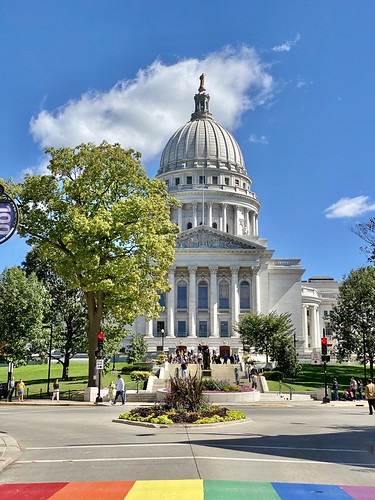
{"x":353,"y":317}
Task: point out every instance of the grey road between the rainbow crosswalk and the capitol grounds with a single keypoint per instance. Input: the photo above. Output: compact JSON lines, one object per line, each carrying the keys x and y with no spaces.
{"x":286,"y":442}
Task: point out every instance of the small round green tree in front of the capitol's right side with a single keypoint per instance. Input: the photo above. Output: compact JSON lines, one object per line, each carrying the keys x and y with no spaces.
{"x":272,"y":335}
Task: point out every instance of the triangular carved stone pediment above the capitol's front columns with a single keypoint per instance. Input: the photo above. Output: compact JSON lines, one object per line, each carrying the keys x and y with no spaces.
{"x":202,"y":238}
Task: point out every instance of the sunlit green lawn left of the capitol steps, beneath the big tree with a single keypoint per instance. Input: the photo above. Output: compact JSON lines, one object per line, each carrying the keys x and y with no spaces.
{"x":36,"y":379}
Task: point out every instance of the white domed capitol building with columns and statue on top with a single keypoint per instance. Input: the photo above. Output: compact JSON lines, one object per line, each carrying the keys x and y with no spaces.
{"x":222,"y":267}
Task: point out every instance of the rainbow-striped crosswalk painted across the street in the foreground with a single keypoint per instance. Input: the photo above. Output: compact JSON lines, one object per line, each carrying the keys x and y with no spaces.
{"x":185,"y":489}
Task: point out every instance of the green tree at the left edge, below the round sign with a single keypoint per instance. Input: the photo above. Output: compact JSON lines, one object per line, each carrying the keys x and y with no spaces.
{"x":24,"y":302}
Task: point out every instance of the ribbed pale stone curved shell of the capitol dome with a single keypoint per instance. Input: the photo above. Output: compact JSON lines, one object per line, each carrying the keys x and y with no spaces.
{"x":202,"y":142}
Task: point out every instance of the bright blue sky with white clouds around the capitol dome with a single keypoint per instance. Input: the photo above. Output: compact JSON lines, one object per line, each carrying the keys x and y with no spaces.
{"x":293,"y":81}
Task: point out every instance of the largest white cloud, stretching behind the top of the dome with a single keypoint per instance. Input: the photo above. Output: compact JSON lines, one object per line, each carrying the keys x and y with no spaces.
{"x":144,"y":112}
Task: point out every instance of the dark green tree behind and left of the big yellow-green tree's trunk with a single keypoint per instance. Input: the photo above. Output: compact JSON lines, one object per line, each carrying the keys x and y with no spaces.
{"x":67,"y":314}
